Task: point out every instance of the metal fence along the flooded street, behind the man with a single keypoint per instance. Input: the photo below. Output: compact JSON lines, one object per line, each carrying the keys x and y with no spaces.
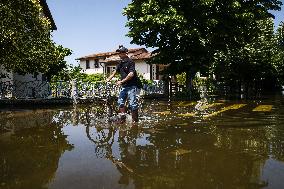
{"x":71,"y":89}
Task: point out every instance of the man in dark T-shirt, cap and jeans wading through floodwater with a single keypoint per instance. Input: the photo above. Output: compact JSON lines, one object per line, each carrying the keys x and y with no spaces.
{"x":128,"y":83}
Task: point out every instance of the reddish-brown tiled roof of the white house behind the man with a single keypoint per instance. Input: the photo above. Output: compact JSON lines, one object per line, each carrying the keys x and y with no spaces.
{"x":135,"y":54}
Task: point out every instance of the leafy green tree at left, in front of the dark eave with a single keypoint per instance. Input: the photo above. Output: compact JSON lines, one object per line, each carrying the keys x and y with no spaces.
{"x":25,"y":42}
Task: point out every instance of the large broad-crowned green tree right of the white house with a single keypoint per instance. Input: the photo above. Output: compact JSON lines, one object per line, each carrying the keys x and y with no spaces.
{"x":187,"y":34}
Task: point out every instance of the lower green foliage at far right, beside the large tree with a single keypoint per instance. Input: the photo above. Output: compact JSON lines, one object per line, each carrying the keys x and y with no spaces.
{"x":253,"y":62}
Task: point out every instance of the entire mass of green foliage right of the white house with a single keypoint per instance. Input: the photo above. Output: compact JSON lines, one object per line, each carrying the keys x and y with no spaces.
{"x":231,"y":39}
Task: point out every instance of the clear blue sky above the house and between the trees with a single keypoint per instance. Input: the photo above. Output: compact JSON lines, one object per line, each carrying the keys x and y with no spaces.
{"x":94,"y":26}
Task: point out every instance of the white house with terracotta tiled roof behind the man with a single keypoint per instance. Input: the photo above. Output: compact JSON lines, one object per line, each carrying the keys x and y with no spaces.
{"x":105,"y":63}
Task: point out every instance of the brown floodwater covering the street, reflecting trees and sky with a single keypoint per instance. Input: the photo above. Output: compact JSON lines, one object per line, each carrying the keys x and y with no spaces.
{"x":225,"y":144}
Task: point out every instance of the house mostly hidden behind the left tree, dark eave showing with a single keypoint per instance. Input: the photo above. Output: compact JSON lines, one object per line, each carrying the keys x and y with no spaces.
{"x":28,"y":85}
